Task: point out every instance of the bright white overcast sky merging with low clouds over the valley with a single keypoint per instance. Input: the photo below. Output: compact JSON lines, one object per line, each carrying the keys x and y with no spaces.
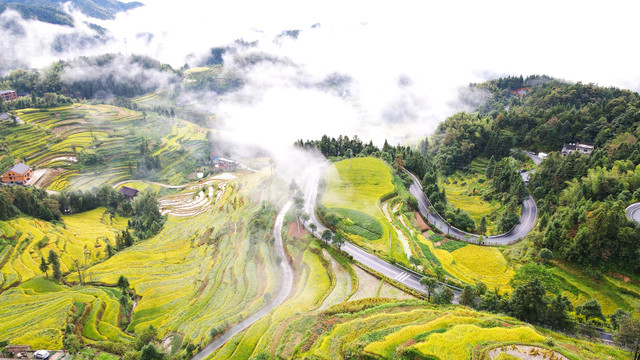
{"x":408,"y":59}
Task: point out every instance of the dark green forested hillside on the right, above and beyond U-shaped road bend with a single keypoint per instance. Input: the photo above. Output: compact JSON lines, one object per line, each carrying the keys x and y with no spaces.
{"x":581,"y":198}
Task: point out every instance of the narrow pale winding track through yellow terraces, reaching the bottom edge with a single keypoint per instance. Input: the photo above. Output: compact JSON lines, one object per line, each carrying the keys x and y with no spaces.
{"x":286,"y":283}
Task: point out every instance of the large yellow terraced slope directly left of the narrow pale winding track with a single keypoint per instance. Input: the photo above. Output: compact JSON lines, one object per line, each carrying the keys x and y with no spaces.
{"x":204,"y":271}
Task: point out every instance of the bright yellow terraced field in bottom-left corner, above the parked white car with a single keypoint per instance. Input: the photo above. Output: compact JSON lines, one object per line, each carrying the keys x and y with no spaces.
{"x":37,"y":311}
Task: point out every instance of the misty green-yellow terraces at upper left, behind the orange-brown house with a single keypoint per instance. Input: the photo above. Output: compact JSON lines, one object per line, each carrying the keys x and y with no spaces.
{"x":52,"y":136}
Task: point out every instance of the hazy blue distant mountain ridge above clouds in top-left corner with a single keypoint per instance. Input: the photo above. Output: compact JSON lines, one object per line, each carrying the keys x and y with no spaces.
{"x":51,"y":10}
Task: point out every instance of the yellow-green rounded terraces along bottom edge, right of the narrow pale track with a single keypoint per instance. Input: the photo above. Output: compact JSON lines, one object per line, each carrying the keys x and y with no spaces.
{"x":392,"y":329}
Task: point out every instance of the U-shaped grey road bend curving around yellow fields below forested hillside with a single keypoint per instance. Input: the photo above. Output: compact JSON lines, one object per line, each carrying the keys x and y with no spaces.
{"x":527,"y":220}
